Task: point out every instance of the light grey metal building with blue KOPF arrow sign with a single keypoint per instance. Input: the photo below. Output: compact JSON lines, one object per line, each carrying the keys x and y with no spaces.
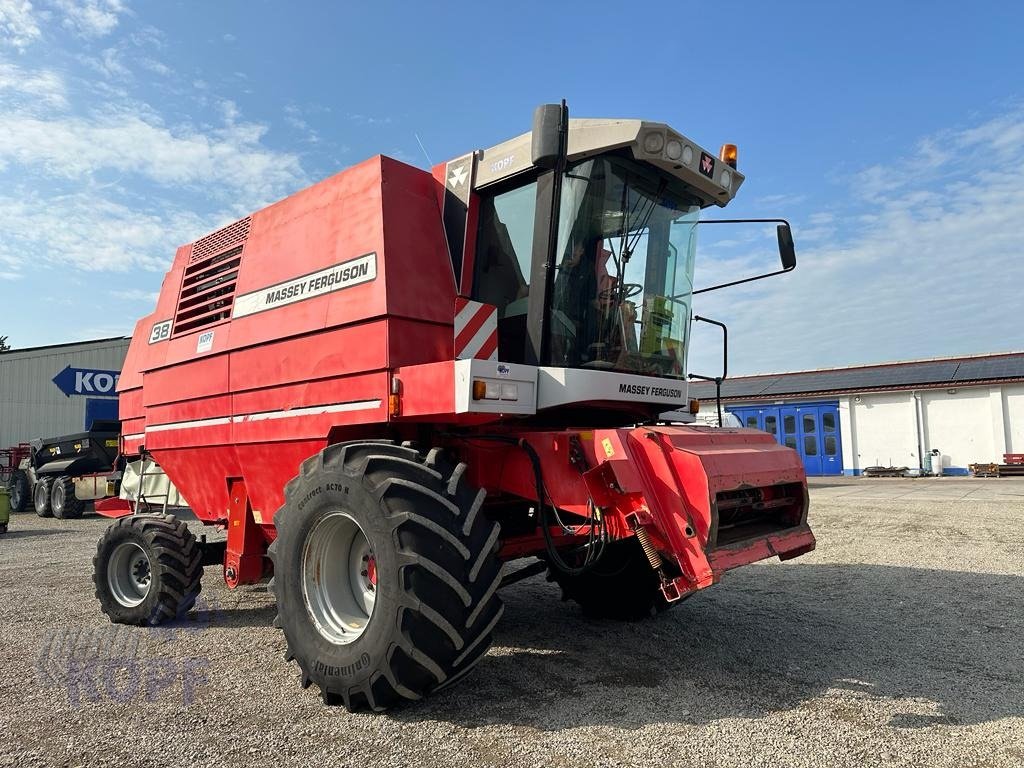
{"x":59,"y":390}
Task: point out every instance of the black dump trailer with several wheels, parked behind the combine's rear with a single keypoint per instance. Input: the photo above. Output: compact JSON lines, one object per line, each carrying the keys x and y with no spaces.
{"x":63,"y":474}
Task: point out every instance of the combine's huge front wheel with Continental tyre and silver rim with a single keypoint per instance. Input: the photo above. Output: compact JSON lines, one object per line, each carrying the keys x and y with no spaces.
{"x":386,"y":574}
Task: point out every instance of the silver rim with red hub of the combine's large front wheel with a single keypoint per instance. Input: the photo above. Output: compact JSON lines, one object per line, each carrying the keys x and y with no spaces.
{"x":339,"y":579}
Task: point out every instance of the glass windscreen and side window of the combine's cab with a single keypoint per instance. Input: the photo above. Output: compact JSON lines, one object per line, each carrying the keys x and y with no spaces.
{"x":620,"y":298}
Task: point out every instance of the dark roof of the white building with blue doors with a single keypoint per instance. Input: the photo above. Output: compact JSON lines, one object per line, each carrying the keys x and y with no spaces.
{"x":926,"y":374}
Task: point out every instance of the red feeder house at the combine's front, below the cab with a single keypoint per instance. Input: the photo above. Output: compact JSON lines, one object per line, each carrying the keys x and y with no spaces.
{"x":671,"y":481}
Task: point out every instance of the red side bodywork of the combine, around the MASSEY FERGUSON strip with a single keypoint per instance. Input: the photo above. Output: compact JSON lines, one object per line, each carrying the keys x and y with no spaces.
{"x":263,"y":371}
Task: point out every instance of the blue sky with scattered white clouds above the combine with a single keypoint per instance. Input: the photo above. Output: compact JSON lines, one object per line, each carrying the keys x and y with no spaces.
{"x":891,"y":135}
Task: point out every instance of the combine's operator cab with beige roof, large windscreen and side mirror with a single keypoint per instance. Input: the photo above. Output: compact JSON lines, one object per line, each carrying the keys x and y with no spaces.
{"x":582,"y":235}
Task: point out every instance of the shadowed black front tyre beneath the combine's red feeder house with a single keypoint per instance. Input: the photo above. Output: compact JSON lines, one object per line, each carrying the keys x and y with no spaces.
{"x":621,"y":586}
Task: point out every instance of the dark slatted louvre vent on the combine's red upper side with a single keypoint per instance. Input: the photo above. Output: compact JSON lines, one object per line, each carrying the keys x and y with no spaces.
{"x":207,"y":291}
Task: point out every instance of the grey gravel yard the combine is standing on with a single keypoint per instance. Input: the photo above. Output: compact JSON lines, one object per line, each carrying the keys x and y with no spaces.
{"x":901,"y":642}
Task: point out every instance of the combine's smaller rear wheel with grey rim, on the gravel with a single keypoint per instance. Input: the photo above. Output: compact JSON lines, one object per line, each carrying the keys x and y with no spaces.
{"x":148,"y":570}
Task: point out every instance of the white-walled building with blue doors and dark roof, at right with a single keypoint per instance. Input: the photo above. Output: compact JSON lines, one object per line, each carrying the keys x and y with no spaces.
{"x":924,"y":415}
